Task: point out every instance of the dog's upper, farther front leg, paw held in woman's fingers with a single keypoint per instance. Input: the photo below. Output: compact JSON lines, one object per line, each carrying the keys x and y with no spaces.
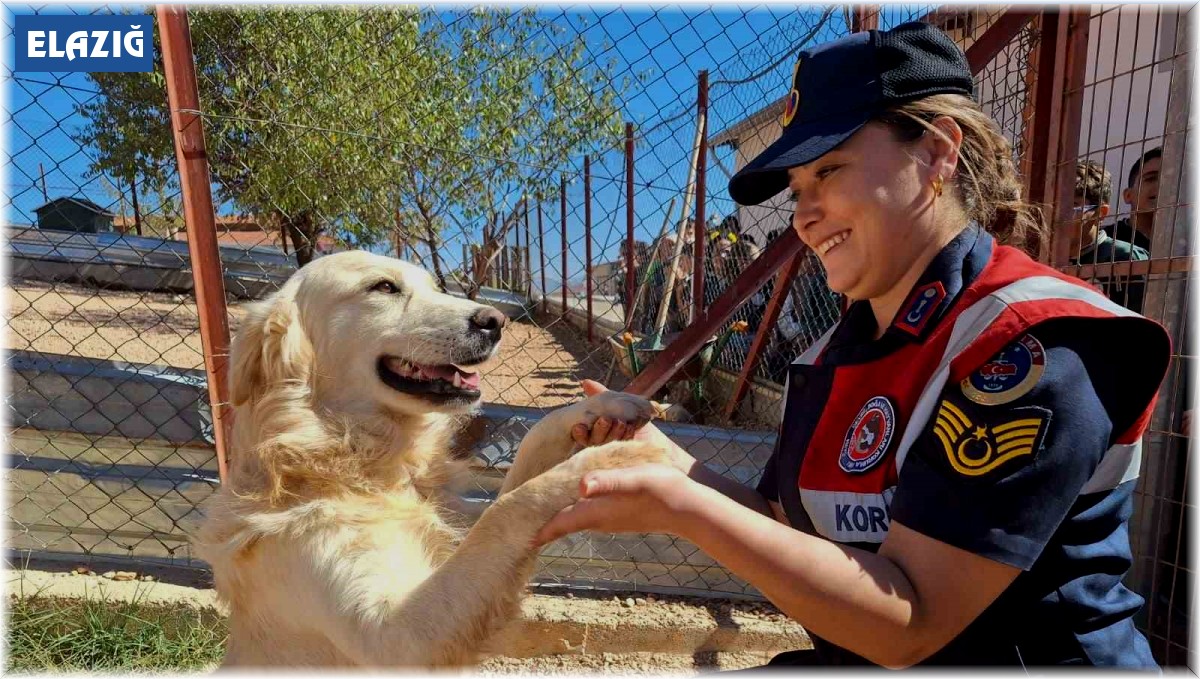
{"x":550,"y":441}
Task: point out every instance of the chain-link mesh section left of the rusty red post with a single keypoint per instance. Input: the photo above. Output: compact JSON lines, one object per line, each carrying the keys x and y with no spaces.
{"x":110,"y":430}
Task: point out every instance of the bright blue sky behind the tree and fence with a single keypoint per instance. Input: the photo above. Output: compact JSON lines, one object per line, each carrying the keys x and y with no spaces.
{"x":734,"y":44}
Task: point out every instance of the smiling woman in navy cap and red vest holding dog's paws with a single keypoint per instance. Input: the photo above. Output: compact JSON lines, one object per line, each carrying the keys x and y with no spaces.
{"x":955,"y":472}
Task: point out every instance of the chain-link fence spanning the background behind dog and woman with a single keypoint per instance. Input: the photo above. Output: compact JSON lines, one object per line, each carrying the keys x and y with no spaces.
{"x":490,"y":147}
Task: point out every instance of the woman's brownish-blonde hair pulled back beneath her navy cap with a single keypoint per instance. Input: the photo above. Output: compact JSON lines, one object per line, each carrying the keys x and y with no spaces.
{"x":988,"y":185}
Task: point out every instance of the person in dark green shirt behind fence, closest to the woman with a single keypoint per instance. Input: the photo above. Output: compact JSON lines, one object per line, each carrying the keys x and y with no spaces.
{"x":1091,"y":245}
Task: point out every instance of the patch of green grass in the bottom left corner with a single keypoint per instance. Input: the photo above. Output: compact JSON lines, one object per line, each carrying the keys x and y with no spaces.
{"x":89,"y":635}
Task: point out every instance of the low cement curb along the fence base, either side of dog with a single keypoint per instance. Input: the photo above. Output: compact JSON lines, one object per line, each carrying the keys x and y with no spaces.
{"x":550,"y":626}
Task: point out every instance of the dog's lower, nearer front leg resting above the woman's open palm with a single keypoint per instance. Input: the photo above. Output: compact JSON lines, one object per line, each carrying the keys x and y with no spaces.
{"x":451,"y":616}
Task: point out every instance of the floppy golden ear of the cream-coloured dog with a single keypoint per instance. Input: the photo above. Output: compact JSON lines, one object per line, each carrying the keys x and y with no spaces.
{"x":271,"y":348}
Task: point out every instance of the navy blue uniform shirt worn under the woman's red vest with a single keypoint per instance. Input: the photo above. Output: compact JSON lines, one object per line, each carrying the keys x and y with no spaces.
{"x":1069,"y":606}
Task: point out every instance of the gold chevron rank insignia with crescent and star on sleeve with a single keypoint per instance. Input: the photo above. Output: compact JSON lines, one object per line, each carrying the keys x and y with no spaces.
{"x":975,"y":449}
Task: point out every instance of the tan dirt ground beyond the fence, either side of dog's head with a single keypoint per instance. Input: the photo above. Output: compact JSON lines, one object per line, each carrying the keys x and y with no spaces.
{"x":541,"y":362}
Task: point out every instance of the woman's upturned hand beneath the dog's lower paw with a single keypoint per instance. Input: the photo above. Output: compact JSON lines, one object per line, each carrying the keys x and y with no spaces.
{"x":652,"y":498}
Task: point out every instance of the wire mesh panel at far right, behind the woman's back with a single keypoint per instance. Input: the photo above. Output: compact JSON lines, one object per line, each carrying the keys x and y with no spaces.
{"x":1132,"y":209}
